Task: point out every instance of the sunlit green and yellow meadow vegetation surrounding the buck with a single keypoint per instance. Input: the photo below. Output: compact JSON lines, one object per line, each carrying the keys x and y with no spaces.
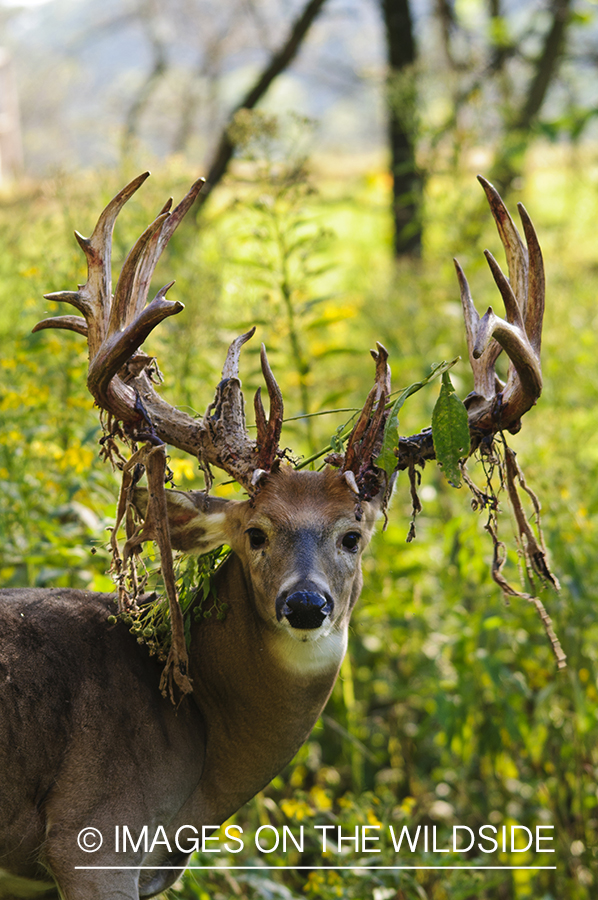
{"x":449,"y":709}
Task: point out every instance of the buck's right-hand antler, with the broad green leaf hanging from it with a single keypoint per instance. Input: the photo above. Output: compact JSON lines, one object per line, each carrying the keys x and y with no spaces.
{"x":492,"y":406}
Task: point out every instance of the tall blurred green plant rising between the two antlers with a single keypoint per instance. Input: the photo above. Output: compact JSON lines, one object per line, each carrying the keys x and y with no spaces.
{"x":285,"y":246}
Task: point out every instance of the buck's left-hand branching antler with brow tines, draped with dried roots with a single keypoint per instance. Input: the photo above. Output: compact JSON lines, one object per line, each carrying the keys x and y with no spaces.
{"x":120,"y":374}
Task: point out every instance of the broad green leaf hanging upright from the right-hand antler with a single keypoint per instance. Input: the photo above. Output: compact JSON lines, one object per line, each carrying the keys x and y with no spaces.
{"x":450,"y":431}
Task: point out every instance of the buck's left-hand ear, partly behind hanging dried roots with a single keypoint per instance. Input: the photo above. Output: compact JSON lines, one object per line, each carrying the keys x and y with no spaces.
{"x":198,"y":522}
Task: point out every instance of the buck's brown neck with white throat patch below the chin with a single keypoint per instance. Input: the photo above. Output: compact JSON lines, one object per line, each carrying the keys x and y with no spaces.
{"x":258,"y":700}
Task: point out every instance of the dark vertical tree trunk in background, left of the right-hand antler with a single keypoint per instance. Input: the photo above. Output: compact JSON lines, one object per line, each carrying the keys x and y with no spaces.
{"x":402,"y":127}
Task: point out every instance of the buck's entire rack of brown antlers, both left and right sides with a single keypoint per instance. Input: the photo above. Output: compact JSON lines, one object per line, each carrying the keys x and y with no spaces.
{"x":120,"y":374}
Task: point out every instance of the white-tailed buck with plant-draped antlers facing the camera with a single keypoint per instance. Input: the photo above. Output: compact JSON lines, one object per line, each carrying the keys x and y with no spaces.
{"x":87,"y":738}
